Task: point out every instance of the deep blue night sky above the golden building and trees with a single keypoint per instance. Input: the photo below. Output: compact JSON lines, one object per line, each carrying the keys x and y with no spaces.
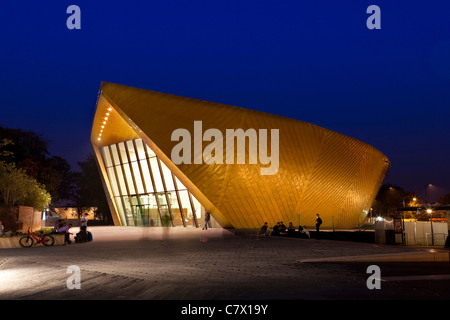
{"x":314,"y":61}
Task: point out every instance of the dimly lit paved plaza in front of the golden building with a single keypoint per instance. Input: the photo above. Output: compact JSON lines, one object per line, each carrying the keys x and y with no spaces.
{"x":125,"y":263}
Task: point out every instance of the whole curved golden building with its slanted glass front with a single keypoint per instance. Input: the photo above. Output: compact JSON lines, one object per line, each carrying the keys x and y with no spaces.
{"x":165,"y":160}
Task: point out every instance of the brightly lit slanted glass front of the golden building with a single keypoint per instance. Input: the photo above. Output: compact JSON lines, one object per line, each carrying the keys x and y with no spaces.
{"x":145,"y":191}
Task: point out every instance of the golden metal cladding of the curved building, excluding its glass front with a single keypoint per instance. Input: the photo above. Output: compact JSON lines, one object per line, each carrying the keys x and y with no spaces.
{"x":320,"y":171}
